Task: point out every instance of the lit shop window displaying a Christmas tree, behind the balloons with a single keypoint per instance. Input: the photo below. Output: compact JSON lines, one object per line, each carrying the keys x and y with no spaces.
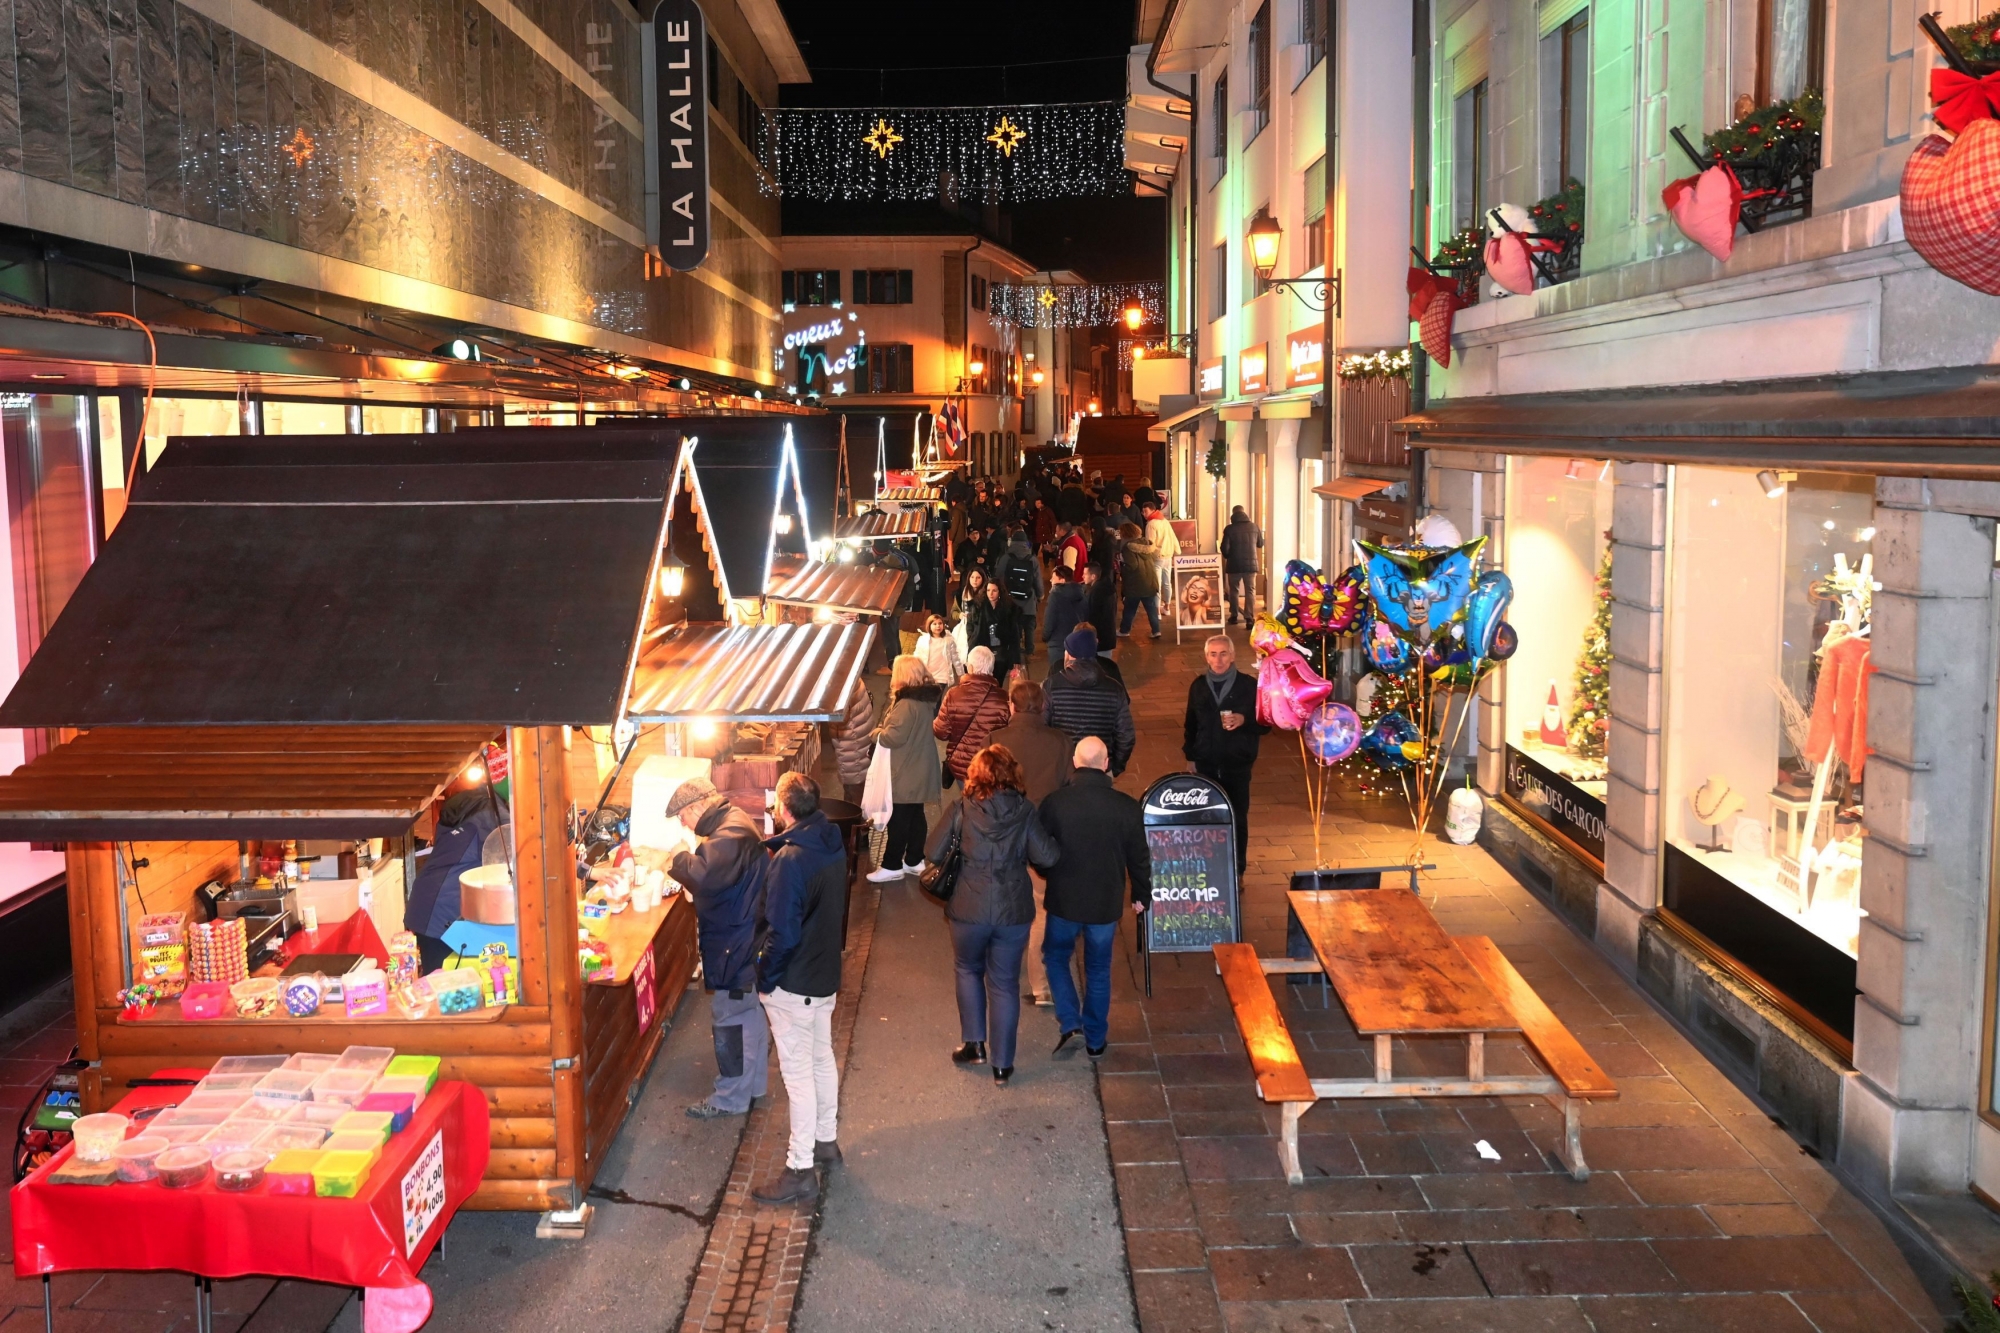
{"x":1557,"y":702}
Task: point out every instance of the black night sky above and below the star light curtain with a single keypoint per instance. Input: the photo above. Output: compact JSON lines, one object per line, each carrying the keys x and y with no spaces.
{"x":939,"y":53}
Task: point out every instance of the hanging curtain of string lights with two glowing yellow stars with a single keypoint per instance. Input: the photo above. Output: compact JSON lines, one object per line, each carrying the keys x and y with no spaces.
{"x":1001,"y":155}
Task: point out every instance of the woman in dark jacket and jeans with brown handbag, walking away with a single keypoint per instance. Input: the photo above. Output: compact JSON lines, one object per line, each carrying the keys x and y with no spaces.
{"x":993,"y":906}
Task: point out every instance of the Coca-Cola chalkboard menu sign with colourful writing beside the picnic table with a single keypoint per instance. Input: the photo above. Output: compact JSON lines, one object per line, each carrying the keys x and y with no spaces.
{"x":1193,"y":838}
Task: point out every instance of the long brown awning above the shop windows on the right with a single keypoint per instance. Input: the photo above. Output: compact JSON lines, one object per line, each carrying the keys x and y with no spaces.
{"x":1917,"y":423}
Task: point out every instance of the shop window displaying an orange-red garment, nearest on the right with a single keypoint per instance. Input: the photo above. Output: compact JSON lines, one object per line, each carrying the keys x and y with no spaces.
{"x":1769,"y":637}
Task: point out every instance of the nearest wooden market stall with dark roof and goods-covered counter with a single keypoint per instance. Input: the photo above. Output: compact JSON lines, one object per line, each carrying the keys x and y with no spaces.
{"x":493,"y":605}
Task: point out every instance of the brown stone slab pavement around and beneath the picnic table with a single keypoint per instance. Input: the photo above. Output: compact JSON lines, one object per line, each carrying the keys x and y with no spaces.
{"x":1701,"y":1212}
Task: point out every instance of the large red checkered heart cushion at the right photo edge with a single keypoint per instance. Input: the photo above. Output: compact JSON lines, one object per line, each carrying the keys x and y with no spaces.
{"x":1951,"y":205}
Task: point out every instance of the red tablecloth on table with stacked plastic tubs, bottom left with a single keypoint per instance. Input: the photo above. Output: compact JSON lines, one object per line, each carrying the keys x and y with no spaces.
{"x":349,"y":1242}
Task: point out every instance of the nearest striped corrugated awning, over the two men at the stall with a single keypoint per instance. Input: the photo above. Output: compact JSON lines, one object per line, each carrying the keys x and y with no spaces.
{"x":751,"y":674}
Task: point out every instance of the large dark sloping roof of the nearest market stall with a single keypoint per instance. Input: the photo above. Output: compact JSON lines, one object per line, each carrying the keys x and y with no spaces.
{"x":365,"y":579}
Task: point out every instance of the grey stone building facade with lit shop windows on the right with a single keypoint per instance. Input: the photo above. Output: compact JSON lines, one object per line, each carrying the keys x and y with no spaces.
{"x":1749,"y":738}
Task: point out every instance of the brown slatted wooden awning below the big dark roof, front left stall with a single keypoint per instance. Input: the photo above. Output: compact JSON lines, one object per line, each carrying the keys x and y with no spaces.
{"x":227,"y":784}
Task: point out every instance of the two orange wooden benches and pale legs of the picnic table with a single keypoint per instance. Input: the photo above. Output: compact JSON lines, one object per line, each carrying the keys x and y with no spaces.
{"x":1573,"y":1078}
